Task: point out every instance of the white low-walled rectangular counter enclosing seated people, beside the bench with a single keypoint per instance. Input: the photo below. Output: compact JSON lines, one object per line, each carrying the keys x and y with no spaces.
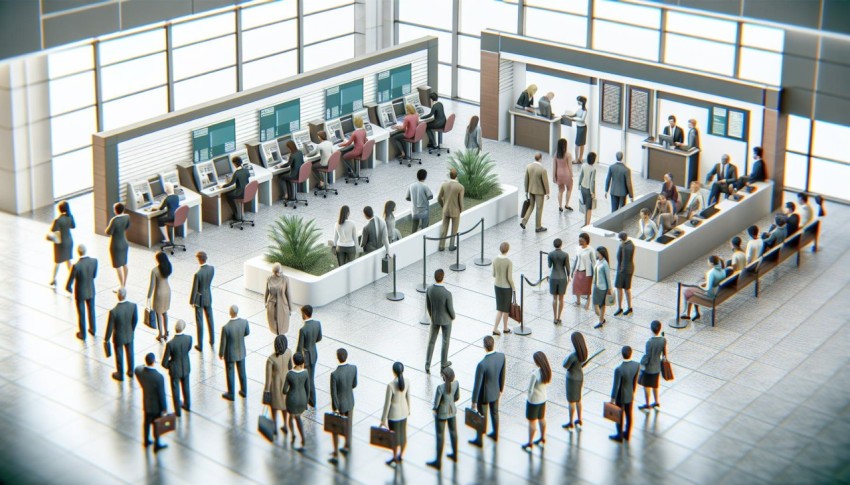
{"x":656,"y":261}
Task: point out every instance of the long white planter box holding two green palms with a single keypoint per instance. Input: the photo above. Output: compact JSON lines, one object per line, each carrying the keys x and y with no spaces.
{"x":306,"y":289}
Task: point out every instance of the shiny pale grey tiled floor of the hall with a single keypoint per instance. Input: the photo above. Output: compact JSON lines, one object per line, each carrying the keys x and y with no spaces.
{"x":761,"y":398}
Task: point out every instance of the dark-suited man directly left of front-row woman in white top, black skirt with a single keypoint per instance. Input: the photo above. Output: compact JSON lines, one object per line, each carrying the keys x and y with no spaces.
{"x":488,"y":387}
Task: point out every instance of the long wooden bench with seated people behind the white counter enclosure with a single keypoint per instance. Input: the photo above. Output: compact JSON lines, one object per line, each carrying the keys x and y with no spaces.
{"x":737,"y":281}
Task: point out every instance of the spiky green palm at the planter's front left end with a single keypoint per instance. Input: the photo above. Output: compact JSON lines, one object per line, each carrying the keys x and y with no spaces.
{"x":295,"y":243}
